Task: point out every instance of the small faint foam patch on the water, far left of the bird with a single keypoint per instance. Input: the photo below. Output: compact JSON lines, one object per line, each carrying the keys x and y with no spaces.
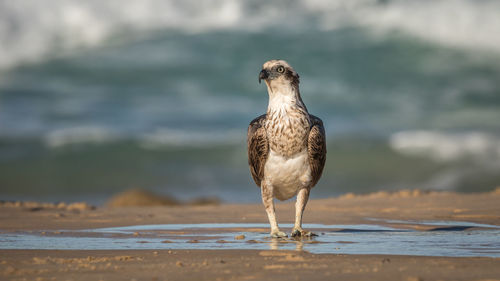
{"x":78,"y":135}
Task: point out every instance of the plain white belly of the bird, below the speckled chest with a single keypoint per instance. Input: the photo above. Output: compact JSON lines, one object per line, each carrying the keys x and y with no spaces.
{"x":287,"y":174}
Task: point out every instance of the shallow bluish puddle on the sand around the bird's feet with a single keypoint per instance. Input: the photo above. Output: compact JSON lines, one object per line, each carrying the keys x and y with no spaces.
{"x":456,"y":239}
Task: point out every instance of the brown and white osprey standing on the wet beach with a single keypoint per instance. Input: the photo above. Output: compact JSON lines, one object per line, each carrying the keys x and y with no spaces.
{"x":286,"y":146}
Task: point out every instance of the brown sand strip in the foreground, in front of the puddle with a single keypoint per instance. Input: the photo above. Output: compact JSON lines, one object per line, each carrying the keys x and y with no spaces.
{"x":237,"y":265}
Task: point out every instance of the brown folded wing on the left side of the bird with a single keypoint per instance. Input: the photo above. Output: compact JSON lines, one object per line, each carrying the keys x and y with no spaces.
{"x":258,"y":148}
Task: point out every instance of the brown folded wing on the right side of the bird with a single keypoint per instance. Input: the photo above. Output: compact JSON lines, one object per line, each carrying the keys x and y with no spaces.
{"x":316,"y":148}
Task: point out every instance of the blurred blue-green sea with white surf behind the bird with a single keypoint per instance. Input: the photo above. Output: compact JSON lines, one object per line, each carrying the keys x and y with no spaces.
{"x":100,"y":96}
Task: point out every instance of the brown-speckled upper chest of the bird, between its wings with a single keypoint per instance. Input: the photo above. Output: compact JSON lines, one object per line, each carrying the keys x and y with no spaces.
{"x":287,"y":129}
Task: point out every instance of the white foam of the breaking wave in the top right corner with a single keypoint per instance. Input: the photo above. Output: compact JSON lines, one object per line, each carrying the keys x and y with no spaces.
{"x":455,"y":23}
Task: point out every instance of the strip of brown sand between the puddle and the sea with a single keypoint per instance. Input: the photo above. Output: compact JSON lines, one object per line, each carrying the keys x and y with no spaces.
{"x":409,"y":205}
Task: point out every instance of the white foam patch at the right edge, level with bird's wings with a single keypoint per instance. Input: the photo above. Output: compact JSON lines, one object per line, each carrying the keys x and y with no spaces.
{"x":446,"y":146}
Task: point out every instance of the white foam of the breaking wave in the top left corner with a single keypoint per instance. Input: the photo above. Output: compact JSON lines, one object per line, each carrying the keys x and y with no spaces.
{"x":30,"y":29}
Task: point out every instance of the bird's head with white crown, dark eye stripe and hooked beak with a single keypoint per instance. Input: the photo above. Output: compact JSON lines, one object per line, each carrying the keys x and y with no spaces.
{"x":279,"y":76}
